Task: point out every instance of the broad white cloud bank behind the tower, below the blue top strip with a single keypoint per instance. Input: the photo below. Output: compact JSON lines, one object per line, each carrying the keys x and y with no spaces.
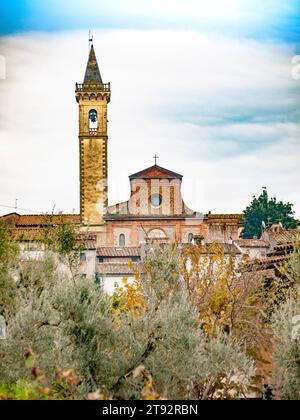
{"x":220,"y":111}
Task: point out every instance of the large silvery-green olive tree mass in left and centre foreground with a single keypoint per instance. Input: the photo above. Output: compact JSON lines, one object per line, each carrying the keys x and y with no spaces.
{"x":145,"y":342}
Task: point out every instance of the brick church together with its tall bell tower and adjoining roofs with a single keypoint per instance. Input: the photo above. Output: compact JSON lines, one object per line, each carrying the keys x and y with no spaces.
{"x":155,"y":210}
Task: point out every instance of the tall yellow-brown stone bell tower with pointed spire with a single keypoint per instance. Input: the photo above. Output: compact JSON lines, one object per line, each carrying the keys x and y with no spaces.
{"x":93,"y":96}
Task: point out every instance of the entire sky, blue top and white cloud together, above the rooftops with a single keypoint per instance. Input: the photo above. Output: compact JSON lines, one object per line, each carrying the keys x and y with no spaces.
{"x":208,"y":86}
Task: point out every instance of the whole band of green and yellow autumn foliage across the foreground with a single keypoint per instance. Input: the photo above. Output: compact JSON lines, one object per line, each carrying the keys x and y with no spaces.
{"x":184,"y":329}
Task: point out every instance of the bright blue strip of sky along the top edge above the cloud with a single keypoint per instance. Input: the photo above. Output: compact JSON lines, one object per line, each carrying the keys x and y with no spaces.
{"x":265,"y":20}
